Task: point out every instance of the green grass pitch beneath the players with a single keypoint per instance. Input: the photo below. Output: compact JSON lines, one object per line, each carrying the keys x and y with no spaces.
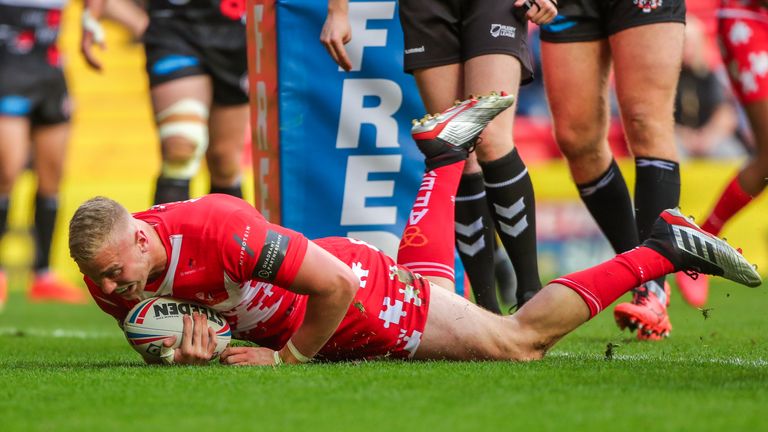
{"x":68,"y":368}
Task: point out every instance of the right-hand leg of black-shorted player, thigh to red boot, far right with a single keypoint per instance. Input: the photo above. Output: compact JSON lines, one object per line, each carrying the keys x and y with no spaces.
{"x":648,"y":118}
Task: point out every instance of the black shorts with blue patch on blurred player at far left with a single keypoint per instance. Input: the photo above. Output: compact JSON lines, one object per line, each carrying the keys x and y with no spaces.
{"x":33,"y":89}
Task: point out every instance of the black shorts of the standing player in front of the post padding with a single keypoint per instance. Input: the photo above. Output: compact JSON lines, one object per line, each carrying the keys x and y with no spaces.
{"x":441,"y":32}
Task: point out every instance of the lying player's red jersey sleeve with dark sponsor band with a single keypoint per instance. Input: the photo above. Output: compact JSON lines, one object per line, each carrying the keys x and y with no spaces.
{"x":261,"y":251}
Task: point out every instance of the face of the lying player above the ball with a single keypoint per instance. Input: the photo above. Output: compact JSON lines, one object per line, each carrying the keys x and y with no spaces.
{"x":122,"y":268}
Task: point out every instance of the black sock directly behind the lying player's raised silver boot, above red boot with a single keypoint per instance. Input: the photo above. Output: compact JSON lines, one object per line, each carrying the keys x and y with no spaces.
{"x":657,"y":188}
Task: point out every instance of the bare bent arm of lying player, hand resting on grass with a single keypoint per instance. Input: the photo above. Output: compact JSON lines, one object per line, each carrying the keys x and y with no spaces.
{"x":330,"y":285}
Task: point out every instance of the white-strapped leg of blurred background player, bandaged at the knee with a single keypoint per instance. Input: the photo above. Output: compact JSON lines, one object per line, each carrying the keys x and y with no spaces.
{"x":181,"y":111}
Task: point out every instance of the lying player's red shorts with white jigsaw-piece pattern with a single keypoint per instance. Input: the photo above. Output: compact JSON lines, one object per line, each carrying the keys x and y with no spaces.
{"x":383,"y":321}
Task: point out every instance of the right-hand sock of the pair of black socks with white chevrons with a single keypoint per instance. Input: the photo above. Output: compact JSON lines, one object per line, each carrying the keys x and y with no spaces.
{"x":510,"y":190}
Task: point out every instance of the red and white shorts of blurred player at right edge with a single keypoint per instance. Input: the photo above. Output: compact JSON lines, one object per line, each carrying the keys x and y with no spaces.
{"x":743,"y":32}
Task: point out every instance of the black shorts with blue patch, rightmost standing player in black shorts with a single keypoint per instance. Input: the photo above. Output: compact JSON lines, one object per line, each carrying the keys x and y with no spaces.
{"x":590,"y":20}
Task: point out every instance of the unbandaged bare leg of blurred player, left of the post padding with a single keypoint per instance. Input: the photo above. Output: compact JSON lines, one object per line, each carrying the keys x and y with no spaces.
{"x":225,"y":151}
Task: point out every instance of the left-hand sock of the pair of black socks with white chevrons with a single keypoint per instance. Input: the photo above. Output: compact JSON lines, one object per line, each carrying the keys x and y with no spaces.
{"x":475,"y":239}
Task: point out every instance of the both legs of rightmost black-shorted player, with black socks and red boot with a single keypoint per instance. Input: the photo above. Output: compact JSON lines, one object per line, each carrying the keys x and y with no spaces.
{"x":581,"y":129}
